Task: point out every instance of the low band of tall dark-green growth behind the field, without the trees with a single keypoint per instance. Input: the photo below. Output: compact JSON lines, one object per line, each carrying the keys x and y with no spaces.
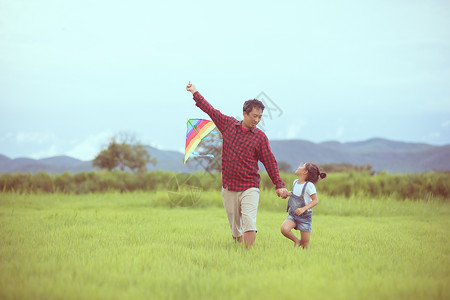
{"x":428,"y":185}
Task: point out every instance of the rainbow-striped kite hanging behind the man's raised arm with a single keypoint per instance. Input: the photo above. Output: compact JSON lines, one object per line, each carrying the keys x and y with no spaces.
{"x":197,"y":130}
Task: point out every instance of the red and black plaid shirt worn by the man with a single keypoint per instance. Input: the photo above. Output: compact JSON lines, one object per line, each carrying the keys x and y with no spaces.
{"x":241,"y":151}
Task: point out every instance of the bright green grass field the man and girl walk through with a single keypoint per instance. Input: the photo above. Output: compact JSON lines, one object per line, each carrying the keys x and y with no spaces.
{"x":134,"y":246}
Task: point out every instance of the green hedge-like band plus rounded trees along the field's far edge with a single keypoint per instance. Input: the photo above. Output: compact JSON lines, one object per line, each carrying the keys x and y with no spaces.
{"x":124,"y":169}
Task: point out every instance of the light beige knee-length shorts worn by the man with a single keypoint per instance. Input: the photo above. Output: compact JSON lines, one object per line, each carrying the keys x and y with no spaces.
{"x":241,"y":208}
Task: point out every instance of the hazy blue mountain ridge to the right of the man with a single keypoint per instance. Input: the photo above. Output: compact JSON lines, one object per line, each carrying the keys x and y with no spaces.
{"x":383,"y":155}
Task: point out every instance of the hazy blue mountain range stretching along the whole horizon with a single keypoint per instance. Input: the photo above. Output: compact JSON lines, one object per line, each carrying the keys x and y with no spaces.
{"x":382,"y":154}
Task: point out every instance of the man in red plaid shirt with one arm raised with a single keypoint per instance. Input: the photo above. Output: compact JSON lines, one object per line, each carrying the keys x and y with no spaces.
{"x":243,"y":146}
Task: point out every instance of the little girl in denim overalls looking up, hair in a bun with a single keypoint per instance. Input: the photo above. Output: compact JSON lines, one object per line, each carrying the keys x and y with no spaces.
{"x":303,"y":198}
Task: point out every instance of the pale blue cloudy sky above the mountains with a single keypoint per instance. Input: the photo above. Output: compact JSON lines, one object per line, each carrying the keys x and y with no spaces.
{"x":74,"y":73}
